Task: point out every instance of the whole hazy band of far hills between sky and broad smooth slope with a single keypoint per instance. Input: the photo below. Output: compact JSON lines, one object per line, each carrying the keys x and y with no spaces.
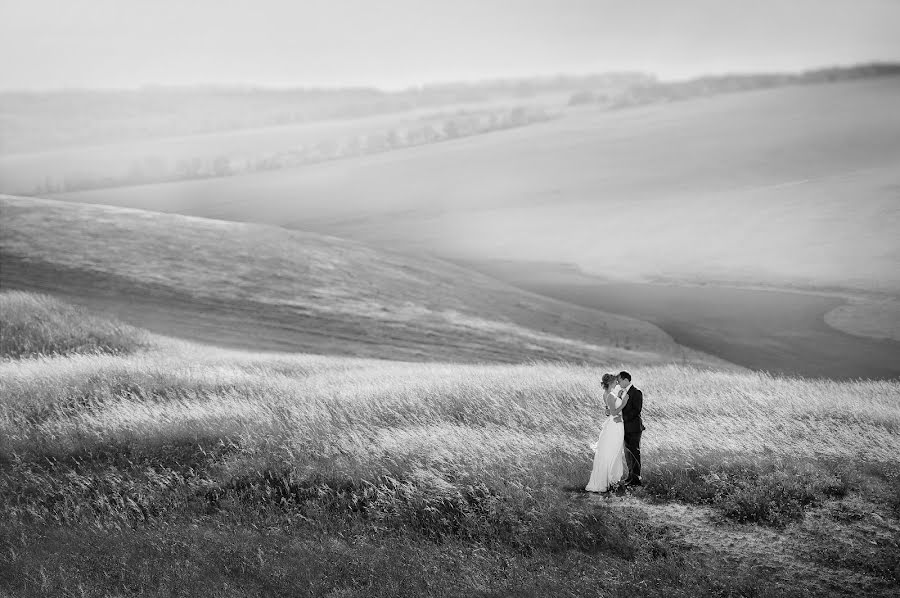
{"x":75,"y":140}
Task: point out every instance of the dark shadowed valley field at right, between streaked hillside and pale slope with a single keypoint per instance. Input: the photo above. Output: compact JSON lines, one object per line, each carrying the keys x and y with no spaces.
{"x":779,"y":331}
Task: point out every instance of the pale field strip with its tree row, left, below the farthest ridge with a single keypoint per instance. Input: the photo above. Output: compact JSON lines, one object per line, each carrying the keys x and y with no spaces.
{"x":245,"y":151}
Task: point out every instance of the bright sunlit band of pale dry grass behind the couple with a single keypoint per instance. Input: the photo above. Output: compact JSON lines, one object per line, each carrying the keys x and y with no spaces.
{"x":369,"y":408}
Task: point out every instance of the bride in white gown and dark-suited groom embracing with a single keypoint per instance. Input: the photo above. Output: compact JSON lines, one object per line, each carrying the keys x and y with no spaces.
{"x":617,"y":454}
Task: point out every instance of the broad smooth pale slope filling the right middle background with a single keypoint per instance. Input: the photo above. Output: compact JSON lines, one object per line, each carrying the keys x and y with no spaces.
{"x":786,"y":187}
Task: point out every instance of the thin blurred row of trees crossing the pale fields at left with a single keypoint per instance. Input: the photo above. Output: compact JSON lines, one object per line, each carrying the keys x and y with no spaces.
{"x":154,"y":169}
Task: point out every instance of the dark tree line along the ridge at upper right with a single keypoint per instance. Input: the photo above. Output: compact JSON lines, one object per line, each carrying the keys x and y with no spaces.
{"x":650,"y":92}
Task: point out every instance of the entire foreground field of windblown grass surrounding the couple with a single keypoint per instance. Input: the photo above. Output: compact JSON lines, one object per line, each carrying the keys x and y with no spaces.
{"x":166,"y":468}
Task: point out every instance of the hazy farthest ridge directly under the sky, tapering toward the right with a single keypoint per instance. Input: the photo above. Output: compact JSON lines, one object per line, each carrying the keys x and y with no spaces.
{"x":32,"y":121}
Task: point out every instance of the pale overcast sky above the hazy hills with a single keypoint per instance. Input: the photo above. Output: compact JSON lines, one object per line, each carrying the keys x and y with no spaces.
{"x":392,"y":44}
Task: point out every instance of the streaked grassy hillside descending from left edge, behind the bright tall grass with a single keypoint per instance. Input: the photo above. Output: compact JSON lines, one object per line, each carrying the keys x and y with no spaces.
{"x":267,"y":288}
